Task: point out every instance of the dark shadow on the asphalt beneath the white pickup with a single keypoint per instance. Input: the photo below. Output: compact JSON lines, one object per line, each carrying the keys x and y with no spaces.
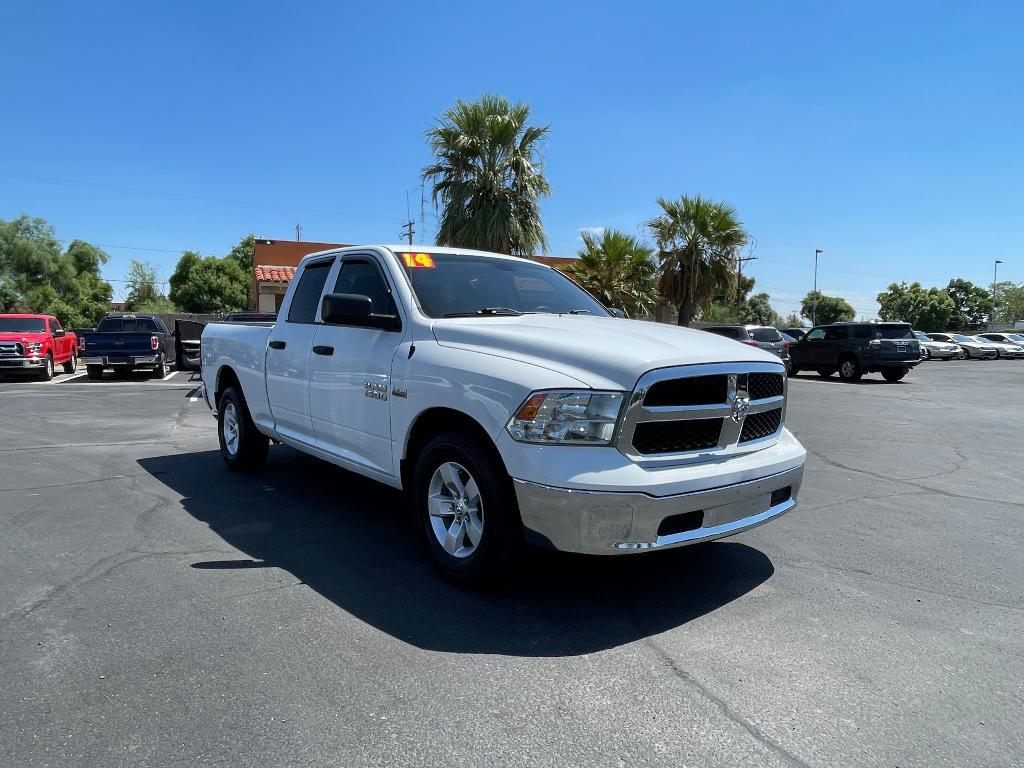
{"x":351,"y":540}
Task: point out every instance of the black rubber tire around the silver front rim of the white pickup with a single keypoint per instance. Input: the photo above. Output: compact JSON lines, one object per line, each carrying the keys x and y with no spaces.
{"x":500,"y":546}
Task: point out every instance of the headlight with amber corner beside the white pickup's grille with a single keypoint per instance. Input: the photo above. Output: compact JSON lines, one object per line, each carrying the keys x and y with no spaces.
{"x":568,"y":418}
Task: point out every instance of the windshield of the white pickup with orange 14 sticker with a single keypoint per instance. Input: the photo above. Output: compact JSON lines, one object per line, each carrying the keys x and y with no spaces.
{"x":459,"y":285}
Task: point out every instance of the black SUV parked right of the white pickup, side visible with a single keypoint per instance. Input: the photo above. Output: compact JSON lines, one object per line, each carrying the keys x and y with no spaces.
{"x":858,"y":349}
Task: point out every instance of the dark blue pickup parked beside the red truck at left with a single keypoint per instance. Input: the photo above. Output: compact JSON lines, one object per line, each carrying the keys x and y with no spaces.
{"x":129,"y":343}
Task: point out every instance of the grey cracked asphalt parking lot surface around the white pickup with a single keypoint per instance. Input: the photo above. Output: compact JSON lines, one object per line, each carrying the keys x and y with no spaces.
{"x":158,"y":611}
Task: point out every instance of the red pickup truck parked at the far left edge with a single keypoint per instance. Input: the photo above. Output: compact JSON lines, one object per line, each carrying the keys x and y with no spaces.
{"x":36,"y":345}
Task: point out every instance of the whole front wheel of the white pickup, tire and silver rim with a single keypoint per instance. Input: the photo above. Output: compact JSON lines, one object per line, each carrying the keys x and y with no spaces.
{"x":465,"y":510}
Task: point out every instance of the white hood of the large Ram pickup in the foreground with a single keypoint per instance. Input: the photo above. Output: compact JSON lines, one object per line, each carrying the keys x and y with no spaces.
{"x":602,"y":353}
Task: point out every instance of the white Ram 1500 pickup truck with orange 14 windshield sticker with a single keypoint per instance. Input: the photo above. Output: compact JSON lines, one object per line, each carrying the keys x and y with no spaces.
{"x":510,"y":405}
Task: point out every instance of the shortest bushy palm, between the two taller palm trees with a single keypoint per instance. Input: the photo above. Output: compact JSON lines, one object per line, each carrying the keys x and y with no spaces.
{"x":619,"y":270}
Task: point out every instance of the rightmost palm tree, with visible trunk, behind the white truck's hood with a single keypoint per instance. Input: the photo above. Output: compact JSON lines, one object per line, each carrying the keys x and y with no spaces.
{"x":699,"y":241}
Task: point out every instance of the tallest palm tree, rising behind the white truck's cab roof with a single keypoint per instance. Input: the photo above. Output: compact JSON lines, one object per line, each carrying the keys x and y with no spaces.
{"x":489,"y":177}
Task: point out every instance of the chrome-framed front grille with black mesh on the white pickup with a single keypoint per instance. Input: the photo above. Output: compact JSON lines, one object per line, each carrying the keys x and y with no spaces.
{"x":695,"y":412}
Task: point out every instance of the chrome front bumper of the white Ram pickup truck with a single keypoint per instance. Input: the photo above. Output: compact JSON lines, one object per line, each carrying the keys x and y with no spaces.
{"x":615,"y":524}
